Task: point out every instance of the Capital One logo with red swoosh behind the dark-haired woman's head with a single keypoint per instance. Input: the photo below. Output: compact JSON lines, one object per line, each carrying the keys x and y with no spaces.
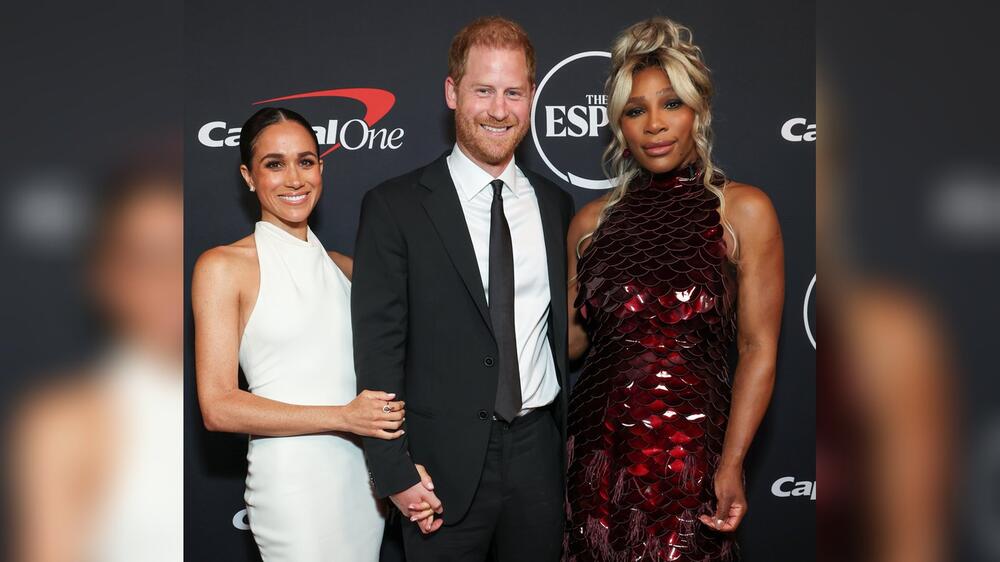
{"x":353,"y":134}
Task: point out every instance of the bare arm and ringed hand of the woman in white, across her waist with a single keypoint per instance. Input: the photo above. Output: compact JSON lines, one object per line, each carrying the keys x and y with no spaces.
{"x":226,"y":407}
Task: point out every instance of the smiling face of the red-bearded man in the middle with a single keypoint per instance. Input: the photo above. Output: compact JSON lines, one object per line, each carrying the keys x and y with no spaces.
{"x":492,"y":104}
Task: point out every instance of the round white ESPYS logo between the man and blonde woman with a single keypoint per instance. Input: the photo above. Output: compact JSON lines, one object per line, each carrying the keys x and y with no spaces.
{"x":569,"y":119}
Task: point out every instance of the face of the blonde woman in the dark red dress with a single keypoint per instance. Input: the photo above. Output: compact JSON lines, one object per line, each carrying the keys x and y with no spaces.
{"x":658,"y":127}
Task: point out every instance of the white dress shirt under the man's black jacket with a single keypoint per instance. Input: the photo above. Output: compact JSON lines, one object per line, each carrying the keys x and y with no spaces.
{"x":532,"y":300}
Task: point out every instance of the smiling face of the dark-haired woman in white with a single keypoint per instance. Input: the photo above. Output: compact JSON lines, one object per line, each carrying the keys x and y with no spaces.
{"x":285,"y":172}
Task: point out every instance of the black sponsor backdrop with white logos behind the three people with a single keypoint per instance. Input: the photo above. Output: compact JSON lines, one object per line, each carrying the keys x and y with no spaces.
{"x":361,"y":59}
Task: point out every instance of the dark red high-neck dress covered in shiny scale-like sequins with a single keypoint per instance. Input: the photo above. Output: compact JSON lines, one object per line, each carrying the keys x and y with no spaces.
{"x":648,"y":414}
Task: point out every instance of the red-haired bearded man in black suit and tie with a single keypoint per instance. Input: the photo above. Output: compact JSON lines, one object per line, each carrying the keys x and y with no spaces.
{"x":459,"y":307}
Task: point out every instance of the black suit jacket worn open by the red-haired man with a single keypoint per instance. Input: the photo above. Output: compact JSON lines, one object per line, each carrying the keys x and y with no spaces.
{"x":422,"y":328}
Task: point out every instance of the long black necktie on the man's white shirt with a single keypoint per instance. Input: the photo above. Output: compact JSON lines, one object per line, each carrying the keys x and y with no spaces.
{"x":501,"y":280}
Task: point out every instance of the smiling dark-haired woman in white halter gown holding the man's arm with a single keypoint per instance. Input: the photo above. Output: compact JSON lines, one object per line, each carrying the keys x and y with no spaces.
{"x":278,"y":303}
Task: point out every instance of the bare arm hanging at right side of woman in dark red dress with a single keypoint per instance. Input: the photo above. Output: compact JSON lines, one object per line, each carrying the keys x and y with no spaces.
{"x":760,"y":302}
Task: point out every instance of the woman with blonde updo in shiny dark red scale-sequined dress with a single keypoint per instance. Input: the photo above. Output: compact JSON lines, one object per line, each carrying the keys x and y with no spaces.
{"x":671,"y":269}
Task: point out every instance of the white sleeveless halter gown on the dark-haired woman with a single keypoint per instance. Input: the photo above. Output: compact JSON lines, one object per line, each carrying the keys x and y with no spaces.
{"x":308,"y":497}
